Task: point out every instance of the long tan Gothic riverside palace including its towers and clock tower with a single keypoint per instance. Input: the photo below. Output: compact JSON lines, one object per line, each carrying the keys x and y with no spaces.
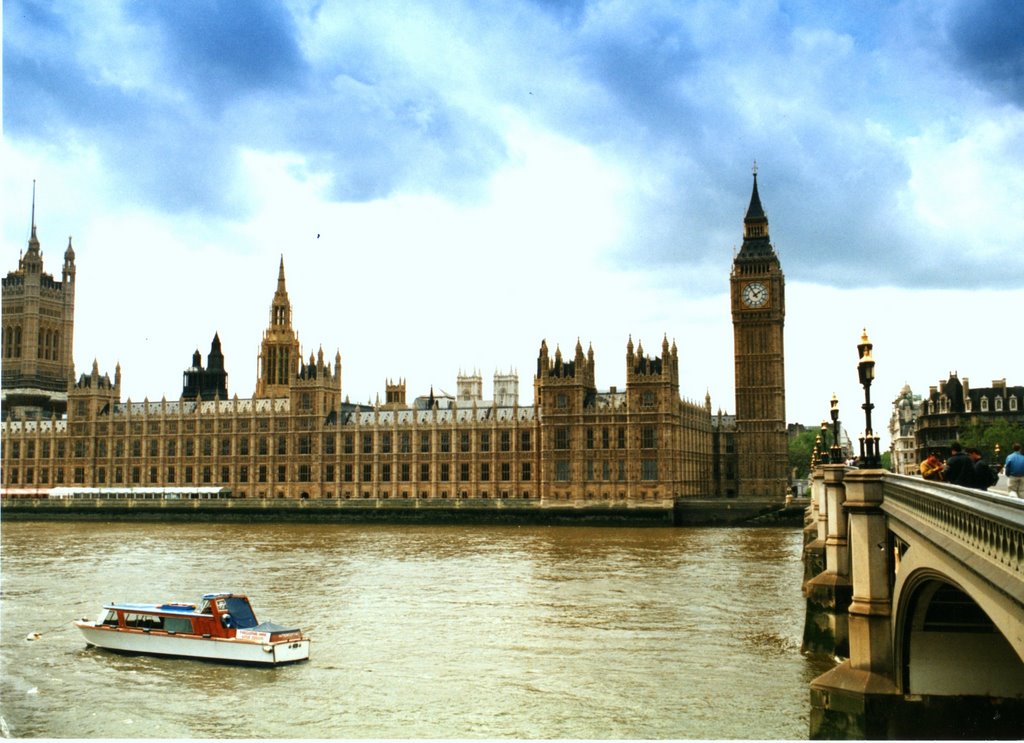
{"x":296,"y":438}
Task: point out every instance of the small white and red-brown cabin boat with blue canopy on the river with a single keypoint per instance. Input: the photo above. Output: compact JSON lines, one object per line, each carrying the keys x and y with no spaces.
{"x":222,"y":628}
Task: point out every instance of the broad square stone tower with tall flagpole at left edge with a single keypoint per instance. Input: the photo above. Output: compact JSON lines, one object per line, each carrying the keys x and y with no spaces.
{"x":38,"y":334}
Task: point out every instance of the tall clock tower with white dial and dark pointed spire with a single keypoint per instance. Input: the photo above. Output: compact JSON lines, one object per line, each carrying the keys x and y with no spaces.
{"x":758,"y":292}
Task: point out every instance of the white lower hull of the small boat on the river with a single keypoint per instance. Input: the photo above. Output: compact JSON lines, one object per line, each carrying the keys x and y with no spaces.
{"x":191,"y":646}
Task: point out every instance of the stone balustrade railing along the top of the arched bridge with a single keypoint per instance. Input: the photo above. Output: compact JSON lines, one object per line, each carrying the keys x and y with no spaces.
{"x":991,"y":526}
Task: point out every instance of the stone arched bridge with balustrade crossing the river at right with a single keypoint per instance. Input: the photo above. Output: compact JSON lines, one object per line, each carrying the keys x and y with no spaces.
{"x":920,"y":586}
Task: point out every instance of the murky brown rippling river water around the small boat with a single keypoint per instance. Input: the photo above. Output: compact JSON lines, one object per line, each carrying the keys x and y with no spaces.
{"x":418,"y":632}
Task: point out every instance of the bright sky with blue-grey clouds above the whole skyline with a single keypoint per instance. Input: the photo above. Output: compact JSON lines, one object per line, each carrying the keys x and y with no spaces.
{"x":449,"y":184}
